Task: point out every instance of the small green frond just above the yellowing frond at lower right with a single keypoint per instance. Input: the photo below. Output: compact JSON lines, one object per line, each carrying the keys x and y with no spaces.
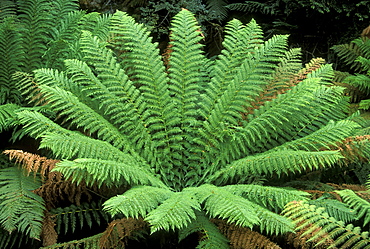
{"x":336,"y":209}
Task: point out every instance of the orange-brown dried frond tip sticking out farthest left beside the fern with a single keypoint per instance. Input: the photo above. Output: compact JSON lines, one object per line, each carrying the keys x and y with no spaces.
{"x":32,"y":162}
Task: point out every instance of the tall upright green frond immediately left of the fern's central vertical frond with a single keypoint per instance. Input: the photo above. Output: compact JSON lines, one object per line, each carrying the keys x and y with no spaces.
{"x":141,"y":61}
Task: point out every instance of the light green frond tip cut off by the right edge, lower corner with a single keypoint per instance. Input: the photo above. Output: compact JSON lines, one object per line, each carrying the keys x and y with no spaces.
{"x":361,"y":206}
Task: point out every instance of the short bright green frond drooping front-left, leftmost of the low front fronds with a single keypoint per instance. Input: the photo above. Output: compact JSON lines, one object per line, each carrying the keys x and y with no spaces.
{"x":137,"y":201}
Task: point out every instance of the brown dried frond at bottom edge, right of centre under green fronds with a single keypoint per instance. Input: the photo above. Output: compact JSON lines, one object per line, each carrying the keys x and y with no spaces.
{"x":243,"y":237}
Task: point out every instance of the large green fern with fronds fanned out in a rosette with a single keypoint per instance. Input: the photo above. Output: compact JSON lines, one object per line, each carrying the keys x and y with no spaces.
{"x":189,"y":134}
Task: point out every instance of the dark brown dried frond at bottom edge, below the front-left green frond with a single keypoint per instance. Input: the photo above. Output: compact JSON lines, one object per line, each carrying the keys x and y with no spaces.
{"x":118,"y":232}
